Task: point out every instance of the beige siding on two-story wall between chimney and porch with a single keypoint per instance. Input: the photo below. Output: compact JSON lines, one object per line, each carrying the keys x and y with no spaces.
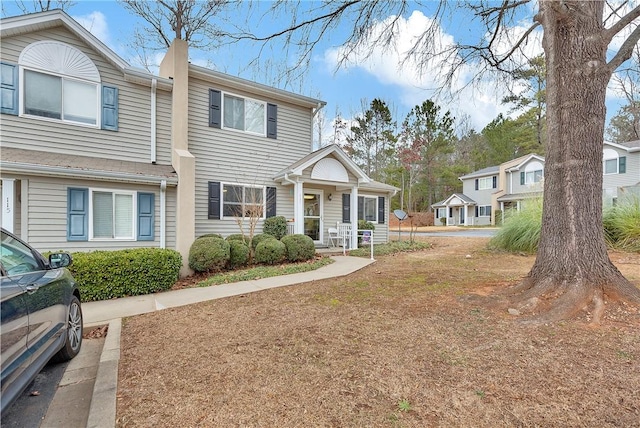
{"x":231,"y":156}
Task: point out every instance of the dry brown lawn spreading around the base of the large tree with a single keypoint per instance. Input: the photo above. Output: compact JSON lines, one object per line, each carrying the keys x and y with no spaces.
{"x":397,"y":344}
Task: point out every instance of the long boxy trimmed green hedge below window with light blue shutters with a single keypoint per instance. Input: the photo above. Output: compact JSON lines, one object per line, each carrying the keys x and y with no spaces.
{"x":103,"y":275}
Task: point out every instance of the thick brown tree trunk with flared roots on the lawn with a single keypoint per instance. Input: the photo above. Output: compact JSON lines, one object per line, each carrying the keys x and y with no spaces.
{"x":572,"y":269}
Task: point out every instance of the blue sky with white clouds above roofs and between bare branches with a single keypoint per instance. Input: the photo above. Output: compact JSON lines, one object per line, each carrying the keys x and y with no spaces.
{"x":373,"y":74}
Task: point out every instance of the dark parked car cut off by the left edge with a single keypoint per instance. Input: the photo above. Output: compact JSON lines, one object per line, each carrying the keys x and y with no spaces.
{"x":41,"y":314}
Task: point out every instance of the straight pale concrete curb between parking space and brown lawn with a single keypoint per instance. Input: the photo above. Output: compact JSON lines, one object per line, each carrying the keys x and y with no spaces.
{"x":102,"y":413}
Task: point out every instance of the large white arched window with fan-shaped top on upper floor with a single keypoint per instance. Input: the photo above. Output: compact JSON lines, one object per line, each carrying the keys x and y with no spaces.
{"x":59,"y":82}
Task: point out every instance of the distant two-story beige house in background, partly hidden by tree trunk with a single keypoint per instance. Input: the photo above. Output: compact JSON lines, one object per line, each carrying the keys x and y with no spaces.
{"x":506,"y":186}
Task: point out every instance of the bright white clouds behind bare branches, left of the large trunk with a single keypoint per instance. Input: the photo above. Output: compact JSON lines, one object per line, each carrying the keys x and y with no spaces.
{"x":418,"y":82}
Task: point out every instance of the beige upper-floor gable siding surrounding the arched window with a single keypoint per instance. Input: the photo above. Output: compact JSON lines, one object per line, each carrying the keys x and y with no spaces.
{"x":132,"y":140}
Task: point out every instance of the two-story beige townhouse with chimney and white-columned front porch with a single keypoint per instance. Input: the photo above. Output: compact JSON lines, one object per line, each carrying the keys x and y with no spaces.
{"x":98,"y":155}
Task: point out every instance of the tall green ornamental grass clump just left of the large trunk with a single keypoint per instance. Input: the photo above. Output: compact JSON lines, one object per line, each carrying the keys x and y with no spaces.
{"x":521,"y":229}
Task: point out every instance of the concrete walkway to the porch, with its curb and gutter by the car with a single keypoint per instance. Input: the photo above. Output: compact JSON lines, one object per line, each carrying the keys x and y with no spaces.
{"x":100,"y":412}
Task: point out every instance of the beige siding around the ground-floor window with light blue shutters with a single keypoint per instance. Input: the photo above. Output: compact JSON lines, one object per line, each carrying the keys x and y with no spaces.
{"x":47,"y":223}
